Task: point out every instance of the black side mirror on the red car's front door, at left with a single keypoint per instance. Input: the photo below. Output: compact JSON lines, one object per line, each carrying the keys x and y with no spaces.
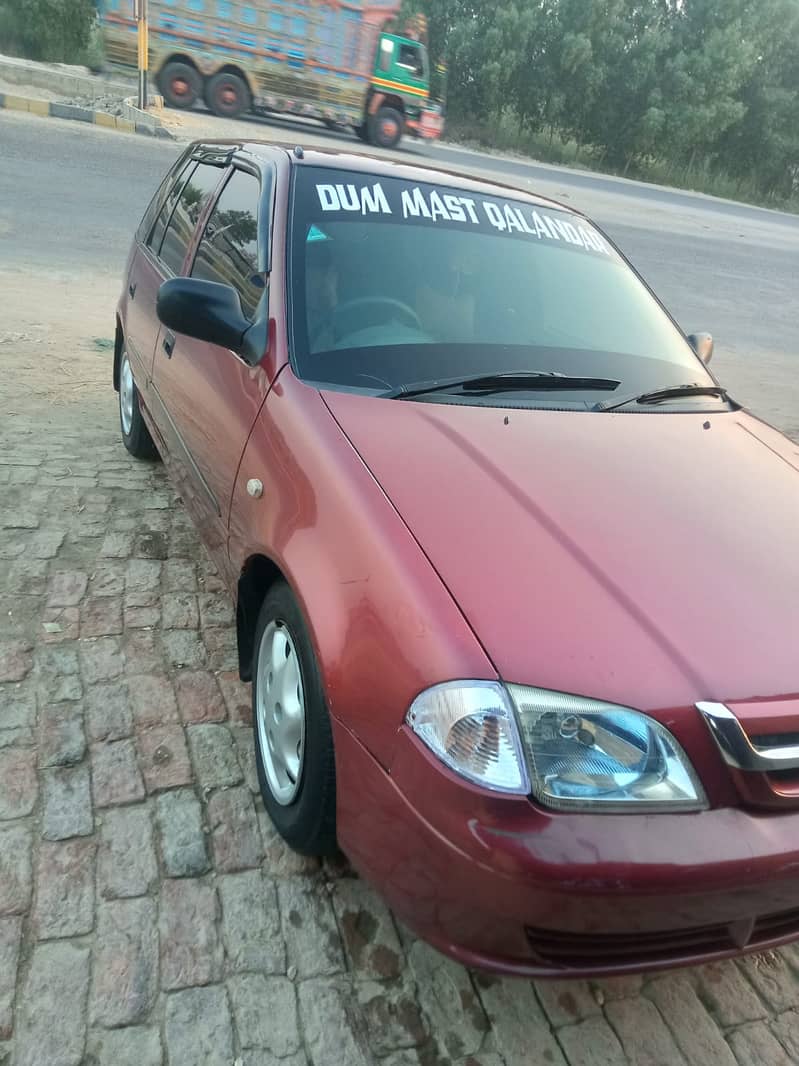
{"x":206,"y":311}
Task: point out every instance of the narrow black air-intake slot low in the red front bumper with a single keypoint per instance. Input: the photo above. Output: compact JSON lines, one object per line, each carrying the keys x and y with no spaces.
{"x":593,"y":950}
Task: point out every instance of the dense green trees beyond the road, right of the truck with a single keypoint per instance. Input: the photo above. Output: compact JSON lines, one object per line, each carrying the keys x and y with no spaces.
{"x":710,"y":85}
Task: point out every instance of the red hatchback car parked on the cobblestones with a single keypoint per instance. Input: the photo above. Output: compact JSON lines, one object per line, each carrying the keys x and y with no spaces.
{"x":517,"y":583}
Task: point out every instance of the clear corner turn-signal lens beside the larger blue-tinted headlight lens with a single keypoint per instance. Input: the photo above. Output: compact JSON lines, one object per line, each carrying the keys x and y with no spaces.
{"x":471,"y":728}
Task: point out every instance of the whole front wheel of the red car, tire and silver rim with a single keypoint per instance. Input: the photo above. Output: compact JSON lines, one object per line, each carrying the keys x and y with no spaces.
{"x":295,"y":751}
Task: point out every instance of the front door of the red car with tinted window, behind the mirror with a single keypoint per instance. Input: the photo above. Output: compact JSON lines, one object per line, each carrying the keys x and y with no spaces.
{"x":211,"y":397}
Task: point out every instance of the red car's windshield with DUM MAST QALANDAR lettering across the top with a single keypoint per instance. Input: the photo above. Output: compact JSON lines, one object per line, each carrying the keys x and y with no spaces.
{"x":396,"y":283}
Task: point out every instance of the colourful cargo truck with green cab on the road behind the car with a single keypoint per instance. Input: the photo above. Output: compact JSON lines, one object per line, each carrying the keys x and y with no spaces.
{"x":349,"y":63}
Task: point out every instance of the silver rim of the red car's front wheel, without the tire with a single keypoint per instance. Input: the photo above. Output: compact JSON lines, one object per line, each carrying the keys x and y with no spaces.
{"x":281,"y":713}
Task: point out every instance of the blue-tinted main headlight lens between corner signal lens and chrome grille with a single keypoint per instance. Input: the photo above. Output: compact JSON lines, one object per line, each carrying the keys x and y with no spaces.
{"x":588,"y":754}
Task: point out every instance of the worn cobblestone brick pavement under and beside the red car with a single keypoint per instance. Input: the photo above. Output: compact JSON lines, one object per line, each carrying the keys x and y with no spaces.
{"x":150,"y":914}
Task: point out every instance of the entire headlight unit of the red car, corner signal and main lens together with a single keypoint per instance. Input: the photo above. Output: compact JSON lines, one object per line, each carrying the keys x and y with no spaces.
{"x":583,"y":754}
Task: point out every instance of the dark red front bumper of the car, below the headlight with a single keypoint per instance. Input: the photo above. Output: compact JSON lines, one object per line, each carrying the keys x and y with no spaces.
{"x":503,"y":885}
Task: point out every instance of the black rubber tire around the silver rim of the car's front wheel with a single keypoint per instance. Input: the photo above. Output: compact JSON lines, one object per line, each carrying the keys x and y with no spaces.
{"x":307,"y":822}
